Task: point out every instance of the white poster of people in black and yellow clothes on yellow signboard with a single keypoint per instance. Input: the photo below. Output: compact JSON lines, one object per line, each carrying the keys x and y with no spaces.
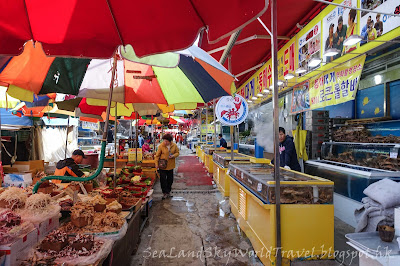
{"x":338,"y":25}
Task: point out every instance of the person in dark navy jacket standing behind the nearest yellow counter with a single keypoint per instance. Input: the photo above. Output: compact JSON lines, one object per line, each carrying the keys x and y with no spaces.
{"x":287,"y":150}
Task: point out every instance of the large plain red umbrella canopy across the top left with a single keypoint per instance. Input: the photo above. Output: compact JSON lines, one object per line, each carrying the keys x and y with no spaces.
{"x":94,"y":28}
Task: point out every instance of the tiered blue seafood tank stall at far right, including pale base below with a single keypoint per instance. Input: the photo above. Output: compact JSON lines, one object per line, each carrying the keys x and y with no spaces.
{"x":353,"y":162}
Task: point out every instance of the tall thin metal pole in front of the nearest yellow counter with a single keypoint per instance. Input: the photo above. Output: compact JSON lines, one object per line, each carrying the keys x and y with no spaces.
{"x":274,"y":45}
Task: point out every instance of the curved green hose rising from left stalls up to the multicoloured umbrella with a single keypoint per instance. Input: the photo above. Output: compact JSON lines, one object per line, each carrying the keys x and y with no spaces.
{"x":103,"y":145}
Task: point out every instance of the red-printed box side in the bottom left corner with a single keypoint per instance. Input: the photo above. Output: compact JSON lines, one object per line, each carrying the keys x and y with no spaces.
{"x":18,"y":250}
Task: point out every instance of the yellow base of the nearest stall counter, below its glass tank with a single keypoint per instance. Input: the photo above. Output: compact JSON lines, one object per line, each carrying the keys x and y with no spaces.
{"x":307,"y":230}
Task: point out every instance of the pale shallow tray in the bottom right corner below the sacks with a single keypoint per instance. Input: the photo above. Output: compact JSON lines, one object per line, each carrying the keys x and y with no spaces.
{"x":371,"y":243}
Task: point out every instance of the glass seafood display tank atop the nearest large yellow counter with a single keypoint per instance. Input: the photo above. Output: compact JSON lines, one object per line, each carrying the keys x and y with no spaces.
{"x":296,"y":187}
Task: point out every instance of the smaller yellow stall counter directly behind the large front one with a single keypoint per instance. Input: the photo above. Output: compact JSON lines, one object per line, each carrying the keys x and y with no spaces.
{"x":221,"y":161}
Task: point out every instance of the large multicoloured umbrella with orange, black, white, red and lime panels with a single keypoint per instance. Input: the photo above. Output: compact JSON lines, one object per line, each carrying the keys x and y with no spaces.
{"x":198,"y":78}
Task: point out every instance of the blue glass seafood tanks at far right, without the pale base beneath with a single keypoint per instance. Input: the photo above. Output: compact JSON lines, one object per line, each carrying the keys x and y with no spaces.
{"x":354,"y":166}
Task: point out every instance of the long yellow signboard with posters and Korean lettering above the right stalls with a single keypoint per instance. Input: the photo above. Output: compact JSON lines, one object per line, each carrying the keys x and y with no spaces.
{"x":328,"y":30}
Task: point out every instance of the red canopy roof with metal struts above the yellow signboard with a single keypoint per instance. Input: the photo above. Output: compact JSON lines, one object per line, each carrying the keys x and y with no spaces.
{"x":251,"y":53}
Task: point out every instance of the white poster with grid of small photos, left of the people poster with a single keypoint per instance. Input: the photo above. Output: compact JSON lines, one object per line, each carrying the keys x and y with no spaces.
{"x":310,"y":45}
